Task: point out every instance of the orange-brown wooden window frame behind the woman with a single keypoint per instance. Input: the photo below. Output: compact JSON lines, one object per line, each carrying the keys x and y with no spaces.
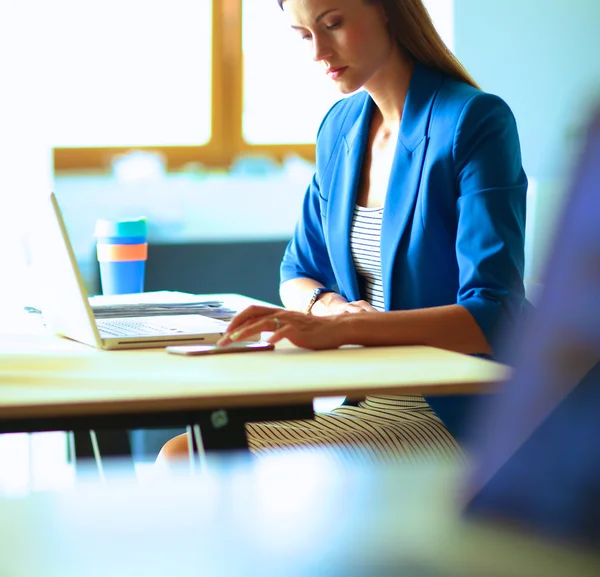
{"x":226,"y":112}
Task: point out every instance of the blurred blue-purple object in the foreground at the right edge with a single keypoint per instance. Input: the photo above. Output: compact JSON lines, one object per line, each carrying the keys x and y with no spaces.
{"x":537,"y":445}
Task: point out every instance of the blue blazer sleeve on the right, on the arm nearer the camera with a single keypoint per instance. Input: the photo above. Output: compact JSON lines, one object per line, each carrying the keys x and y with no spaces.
{"x":490,"y":242}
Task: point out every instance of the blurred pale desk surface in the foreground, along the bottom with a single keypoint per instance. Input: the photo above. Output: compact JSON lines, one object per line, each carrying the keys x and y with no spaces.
{"x":293,"y":515}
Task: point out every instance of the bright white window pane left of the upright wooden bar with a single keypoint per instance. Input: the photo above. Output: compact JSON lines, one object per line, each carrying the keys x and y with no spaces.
{"x":131,"y":73}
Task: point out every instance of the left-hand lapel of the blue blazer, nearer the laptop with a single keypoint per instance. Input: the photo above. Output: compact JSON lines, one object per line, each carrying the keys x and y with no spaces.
{"x":345,"y":180}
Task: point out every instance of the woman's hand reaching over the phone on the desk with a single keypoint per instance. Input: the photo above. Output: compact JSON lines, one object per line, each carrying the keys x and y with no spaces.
{"x":306,"y":331}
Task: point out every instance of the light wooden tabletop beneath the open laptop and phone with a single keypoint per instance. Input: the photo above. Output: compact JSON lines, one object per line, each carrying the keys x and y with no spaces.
{"x":41,"y":374}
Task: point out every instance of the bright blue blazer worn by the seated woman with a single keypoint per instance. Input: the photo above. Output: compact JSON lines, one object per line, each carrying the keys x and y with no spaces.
{"x":453,"y":229}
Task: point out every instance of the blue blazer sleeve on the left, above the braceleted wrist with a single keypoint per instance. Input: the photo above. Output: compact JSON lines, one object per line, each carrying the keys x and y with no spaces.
{"x":306,"y":256}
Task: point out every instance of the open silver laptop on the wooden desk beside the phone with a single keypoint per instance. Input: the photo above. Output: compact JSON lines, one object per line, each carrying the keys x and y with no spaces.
{"x":67,"y":311}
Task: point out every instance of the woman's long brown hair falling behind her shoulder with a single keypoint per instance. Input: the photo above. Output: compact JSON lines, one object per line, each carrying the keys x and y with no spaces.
{"x":411,"y":25}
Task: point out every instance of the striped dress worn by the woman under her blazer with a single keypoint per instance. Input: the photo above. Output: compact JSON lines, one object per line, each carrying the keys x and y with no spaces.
{"x":378,"y":429}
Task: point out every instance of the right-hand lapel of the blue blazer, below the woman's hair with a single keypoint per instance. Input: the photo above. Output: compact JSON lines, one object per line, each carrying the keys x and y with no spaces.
{"x":407,"y":168}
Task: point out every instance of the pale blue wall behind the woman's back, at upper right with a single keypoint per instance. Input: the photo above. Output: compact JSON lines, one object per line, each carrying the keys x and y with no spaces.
{"x":543,"y":58}
